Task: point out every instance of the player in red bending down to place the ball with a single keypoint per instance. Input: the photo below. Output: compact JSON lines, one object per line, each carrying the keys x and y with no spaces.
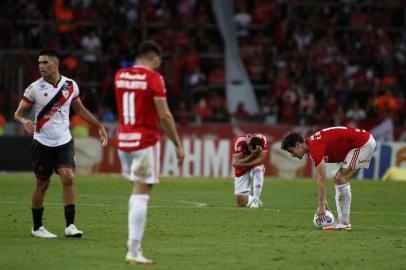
{"x":351,"y":147}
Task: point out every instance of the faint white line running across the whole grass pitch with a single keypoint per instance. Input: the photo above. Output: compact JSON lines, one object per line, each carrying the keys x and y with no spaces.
{"x":200,"y":205}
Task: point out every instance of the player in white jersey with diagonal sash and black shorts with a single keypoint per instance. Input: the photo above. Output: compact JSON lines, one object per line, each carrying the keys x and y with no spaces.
{"x":52,"y":149}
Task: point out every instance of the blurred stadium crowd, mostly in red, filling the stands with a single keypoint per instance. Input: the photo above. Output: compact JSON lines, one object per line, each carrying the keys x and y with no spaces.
{"x":330,"y":62}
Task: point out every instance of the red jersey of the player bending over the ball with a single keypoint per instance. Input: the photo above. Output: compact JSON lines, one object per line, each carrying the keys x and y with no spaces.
{"x":333,"y":144}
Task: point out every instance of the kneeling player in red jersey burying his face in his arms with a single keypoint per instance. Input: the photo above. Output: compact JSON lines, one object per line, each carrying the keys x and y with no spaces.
{"x":249,"y":153}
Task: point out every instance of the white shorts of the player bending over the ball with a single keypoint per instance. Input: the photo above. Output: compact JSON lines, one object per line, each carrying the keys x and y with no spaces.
{"x":359,"y":158}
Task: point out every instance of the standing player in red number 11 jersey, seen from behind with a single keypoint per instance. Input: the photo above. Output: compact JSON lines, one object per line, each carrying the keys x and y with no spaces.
{"x":142,"y":107}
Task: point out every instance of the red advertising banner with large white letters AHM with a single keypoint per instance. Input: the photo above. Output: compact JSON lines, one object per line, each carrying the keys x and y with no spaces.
{"x":208,"y":151}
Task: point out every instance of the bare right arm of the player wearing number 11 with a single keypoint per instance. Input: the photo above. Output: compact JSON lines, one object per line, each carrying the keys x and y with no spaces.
{"x":169,"y":126}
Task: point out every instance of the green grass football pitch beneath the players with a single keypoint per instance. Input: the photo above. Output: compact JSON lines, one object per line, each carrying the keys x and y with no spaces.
{"x":193,"y":223}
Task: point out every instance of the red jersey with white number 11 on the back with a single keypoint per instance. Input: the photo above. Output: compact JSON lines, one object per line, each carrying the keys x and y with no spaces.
{"x":136,"y":88}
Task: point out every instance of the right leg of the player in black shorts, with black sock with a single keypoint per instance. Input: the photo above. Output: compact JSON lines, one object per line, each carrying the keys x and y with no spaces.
{"x":65,"y":165}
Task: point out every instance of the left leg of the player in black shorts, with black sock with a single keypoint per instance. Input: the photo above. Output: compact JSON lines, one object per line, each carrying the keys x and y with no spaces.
{"x":43,"y":167}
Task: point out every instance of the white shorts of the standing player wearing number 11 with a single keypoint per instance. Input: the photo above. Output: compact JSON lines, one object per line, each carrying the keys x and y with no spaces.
{"x":141,"y":165}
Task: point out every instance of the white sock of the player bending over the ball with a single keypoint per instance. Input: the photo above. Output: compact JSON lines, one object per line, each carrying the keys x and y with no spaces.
{"x":343,"y":203}
